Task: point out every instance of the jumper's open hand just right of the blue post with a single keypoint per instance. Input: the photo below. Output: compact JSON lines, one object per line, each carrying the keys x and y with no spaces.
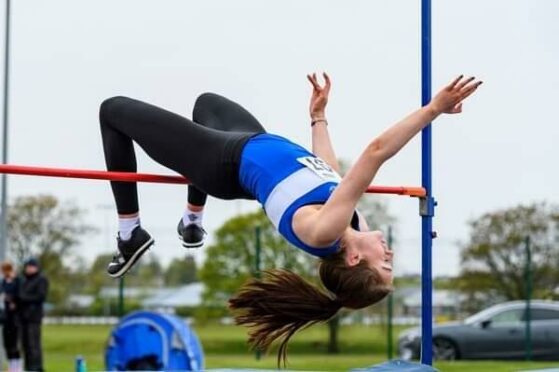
{"x":449,"y":99}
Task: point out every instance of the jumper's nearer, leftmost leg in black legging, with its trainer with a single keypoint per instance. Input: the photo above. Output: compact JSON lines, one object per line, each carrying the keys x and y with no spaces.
{"x":209,"y":158}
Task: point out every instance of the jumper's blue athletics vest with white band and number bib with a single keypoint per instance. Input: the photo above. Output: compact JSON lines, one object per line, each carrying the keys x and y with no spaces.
{"x":283,"y":177}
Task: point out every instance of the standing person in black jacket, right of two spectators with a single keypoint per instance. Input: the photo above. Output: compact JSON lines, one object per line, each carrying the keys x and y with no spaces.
{"x":32,"y":295}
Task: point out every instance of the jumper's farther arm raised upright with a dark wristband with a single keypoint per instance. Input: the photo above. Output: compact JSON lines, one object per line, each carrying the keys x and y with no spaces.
{"x":321,"y":144}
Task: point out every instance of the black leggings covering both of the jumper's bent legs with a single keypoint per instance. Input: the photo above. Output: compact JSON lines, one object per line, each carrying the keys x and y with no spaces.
{"x":207,"y":150}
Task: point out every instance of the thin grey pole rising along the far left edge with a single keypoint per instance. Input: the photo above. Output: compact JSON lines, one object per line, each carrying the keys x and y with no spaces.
{"x":4,"y":201}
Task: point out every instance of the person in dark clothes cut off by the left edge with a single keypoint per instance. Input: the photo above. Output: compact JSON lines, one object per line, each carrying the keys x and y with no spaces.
{"x":10,"y":331}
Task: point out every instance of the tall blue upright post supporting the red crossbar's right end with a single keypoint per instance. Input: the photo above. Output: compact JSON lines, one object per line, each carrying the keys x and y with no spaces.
{"x":427,"y":206}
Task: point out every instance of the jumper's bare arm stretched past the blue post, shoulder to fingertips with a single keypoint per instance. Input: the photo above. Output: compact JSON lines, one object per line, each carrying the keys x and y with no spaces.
{"x":326,"y":225}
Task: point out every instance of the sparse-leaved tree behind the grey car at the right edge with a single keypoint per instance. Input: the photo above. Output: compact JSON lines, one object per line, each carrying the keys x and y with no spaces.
{"x":493,"y":261}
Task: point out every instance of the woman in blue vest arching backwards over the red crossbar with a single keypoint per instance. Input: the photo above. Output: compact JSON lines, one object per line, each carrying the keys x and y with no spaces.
{"x":226,"y":153}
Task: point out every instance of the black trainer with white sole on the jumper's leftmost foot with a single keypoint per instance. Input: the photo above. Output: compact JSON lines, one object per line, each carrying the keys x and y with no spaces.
{"x":129,"y":251}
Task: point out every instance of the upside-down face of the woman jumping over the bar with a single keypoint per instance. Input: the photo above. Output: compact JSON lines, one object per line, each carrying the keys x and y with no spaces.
{"x":371,"y":247}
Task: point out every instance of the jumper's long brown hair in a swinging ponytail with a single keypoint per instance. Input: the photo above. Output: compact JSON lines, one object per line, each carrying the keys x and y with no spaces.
{"x":282,"y":302}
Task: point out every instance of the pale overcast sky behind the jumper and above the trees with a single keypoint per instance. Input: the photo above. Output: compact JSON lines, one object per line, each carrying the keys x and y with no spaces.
{"x":68,"y":56}
